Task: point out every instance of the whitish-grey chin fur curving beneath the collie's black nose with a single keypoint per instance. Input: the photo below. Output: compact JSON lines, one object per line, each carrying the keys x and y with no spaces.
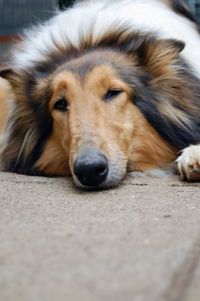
{"x":115,"y":176}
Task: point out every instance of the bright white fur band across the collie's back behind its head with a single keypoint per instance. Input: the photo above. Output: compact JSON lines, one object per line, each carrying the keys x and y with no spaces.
{"x":100,"y":16}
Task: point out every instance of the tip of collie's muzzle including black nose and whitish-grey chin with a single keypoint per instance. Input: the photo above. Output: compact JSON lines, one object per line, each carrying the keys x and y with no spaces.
{"x":92,"y":170}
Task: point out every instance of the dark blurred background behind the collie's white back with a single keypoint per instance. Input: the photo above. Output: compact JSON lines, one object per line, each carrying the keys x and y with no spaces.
{"x":15,"y":15}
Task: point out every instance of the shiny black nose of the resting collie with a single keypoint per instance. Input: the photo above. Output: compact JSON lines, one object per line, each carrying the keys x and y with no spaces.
{"x":91,"y":168}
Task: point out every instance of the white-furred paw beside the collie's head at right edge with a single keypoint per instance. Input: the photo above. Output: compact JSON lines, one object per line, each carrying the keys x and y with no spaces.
{"x":188,"y":163}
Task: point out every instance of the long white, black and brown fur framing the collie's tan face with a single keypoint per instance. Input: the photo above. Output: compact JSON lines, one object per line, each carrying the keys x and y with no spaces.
{"x":166,"y":73}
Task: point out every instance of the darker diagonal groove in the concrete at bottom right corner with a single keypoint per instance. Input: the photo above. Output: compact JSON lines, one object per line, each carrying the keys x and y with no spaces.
{"x":183,"y":277}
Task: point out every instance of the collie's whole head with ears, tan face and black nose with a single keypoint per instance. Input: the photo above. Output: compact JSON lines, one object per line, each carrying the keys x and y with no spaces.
{"x":88,"y":116}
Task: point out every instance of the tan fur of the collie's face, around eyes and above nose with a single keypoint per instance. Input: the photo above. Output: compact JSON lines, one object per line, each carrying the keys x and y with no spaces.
{"x":114,"y":127}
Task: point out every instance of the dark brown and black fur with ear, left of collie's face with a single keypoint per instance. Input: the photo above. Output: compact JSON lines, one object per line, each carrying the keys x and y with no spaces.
{"x":29,"y":123}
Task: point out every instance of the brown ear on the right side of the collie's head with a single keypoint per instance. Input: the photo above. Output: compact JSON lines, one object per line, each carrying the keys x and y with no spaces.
{"x":157,"y":55}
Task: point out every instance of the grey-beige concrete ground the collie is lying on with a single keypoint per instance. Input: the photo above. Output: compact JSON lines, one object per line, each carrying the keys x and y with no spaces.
{"x":138,"y":242}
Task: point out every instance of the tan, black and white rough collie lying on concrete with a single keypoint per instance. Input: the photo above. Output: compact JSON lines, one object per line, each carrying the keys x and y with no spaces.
{"x":104,"y":88}
